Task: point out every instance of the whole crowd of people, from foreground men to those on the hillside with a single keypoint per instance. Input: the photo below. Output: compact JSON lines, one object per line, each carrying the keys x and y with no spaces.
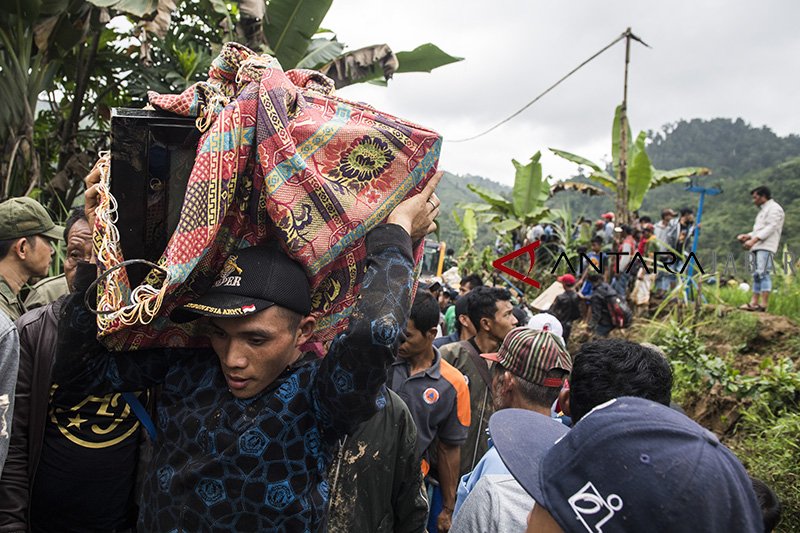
{"x":452,"y":410}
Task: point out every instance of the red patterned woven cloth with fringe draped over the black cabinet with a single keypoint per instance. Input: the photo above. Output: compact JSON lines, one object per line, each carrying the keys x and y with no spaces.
{"x":283,"y":159}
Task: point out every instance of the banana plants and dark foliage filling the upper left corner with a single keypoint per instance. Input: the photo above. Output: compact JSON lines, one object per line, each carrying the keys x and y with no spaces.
{"x":65,"y":50}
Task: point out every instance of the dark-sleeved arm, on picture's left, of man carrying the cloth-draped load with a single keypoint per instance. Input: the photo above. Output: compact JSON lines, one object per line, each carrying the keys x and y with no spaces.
{"x":82,"y":363}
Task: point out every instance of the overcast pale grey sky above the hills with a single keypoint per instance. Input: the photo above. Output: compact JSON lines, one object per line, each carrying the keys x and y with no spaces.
{"x":710,"y":58}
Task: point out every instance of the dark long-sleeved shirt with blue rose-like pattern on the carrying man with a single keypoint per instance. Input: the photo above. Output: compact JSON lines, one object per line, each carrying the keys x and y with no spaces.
{"x":226,"y":464}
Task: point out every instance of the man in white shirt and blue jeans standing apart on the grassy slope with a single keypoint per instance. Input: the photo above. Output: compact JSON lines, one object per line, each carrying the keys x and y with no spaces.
{"x":763,"y":243}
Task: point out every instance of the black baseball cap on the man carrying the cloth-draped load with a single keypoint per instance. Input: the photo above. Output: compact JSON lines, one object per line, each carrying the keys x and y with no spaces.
{"x":252,"y":280}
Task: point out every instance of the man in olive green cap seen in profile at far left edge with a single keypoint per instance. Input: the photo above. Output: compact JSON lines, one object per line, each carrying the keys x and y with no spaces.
{"x":26,"y":250}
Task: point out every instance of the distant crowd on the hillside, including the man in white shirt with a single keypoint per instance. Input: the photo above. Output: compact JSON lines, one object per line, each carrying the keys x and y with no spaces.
{"x":614,"y":283}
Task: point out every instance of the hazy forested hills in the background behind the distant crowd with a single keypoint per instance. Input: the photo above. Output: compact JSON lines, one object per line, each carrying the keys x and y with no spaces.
{"x":740,"y":156}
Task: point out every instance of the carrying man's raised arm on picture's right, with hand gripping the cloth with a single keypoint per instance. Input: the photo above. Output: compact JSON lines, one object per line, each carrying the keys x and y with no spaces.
{"x":353,"y":371}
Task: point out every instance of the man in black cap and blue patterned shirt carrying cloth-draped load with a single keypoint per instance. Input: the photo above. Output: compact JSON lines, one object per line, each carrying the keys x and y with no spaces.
{"x":244,"y":439}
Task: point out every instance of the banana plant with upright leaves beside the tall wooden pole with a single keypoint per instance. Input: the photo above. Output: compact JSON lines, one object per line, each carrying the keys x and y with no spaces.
{"x":642,"y":176}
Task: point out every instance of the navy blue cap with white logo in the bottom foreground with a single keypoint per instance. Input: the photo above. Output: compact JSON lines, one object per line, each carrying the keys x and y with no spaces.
{"x":634,"y":465}
